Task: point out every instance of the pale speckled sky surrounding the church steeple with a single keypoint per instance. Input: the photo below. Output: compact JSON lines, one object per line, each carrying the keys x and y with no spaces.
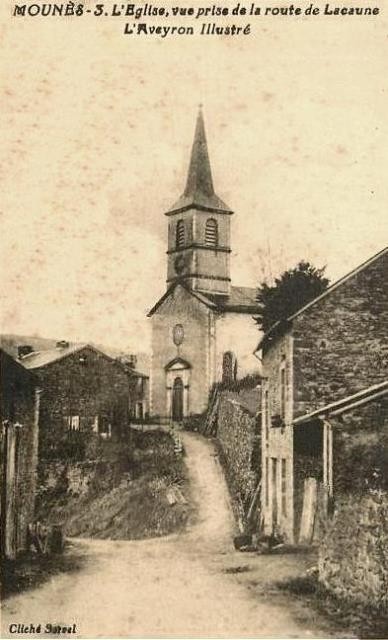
{"x":96,"y":133}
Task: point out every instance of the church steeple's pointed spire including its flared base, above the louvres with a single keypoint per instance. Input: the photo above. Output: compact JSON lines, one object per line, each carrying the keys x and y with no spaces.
{"x":199,"y":191}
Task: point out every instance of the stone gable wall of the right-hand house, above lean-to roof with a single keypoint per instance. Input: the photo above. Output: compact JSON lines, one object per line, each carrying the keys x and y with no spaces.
{"x":340,"y":342}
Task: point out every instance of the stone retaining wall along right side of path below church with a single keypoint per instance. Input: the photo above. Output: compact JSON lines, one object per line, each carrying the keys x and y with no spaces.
{"x":238,"y":435}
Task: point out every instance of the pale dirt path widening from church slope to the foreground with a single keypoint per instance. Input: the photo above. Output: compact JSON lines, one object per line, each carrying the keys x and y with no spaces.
{"x":191,"y":584}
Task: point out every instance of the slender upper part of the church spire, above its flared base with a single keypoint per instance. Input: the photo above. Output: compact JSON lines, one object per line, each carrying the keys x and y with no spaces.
{"x":199,"y":177}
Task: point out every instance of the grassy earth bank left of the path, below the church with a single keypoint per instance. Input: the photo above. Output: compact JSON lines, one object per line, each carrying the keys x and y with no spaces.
{"x":128,"y":493}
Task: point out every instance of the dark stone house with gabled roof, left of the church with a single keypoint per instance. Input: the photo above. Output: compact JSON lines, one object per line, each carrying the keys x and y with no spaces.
{"x":84,"y":390}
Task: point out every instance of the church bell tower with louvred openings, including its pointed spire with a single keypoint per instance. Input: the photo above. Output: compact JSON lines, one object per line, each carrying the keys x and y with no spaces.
{"x":199,"y":227}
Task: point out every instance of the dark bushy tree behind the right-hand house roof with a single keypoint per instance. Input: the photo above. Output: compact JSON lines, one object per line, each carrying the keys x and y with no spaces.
{"x":291,"y":291}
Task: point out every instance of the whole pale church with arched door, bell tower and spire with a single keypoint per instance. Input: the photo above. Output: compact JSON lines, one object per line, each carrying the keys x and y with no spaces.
{"x":203,"y":330}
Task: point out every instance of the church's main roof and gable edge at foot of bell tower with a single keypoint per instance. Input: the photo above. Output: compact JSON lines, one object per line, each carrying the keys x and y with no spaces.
{"x":240,"y":299}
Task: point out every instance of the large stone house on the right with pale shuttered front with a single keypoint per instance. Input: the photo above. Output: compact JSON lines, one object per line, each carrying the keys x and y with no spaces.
{"x":329,"y":351}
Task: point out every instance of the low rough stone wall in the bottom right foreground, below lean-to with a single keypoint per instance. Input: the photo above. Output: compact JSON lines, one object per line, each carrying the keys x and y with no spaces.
{"x":353,"y":556}
